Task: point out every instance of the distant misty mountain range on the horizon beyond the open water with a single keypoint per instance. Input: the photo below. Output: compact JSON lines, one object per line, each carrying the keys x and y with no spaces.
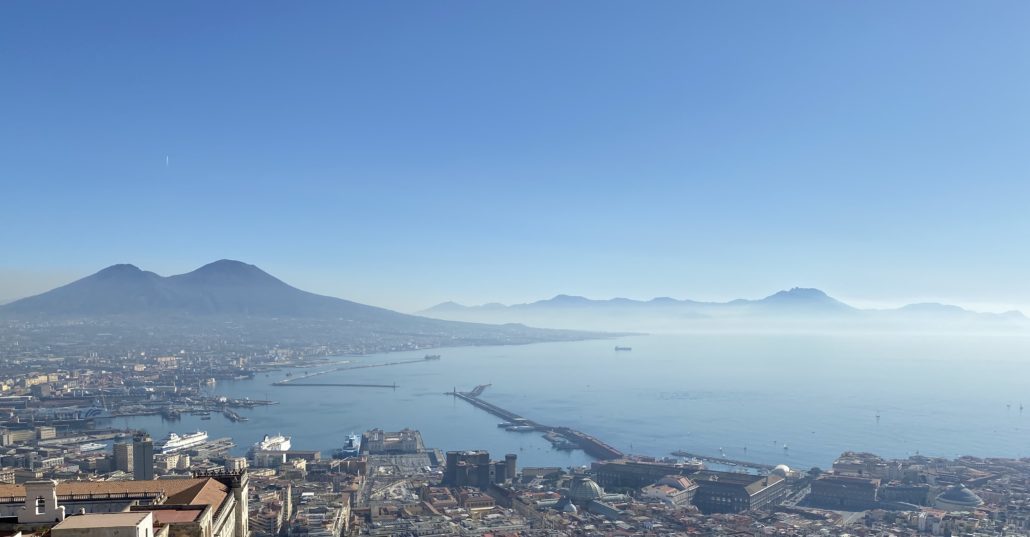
{"x":797,"y":304}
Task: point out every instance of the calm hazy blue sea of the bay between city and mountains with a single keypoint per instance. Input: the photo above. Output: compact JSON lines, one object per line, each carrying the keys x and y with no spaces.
{"x":795,"y":399}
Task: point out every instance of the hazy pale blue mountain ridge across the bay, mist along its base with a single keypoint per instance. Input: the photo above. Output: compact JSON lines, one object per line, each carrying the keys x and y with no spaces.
{"x":798,"y":306}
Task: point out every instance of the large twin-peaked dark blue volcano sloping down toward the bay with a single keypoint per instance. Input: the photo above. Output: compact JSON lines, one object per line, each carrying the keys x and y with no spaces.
{"x":233,"y":301}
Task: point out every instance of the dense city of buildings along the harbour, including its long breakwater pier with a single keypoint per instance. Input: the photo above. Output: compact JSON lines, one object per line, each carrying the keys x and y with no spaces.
{"x":67,"y":472}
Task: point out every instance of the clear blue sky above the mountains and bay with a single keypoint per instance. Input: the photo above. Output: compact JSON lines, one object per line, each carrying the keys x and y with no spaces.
{"x":403,"y":154}
